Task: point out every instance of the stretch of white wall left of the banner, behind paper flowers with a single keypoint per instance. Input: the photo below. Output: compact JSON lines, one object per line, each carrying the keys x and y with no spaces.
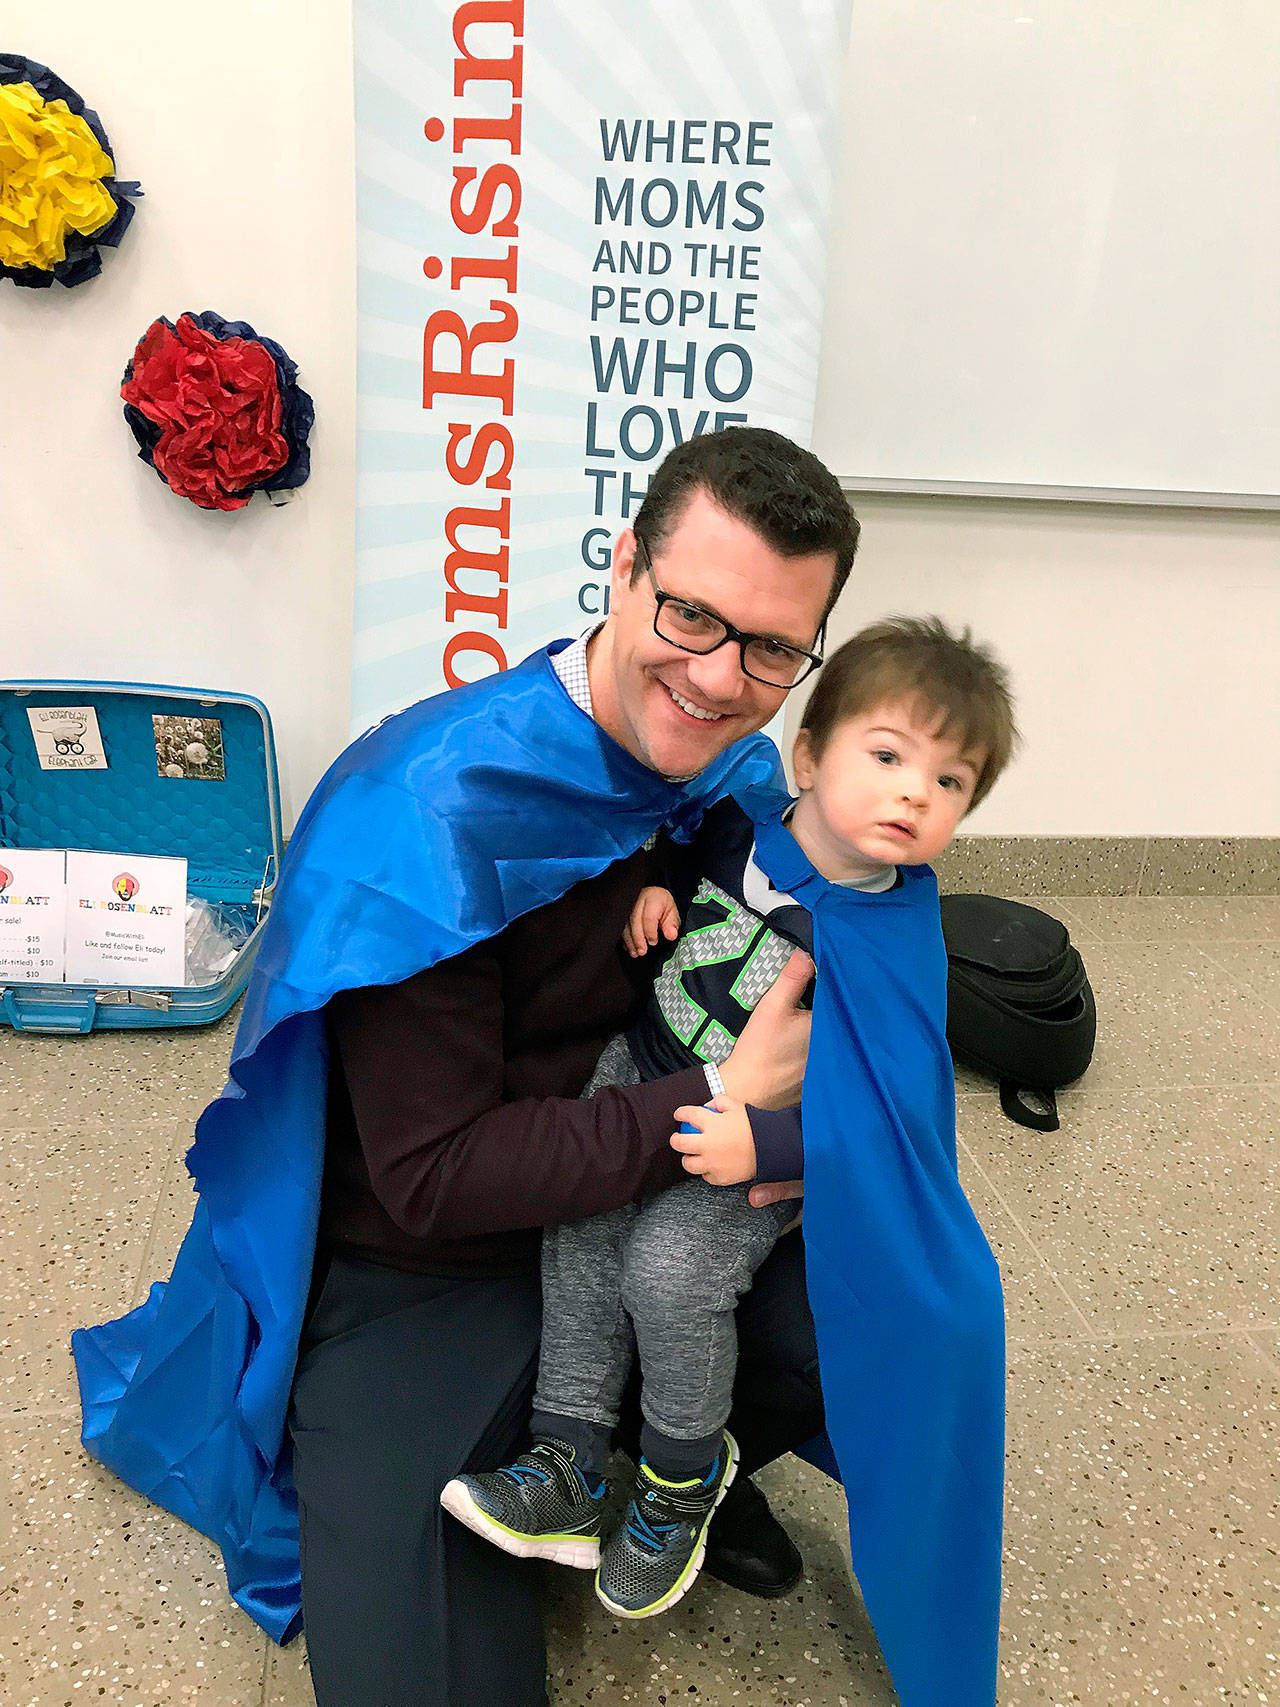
{"x":240,"y":127}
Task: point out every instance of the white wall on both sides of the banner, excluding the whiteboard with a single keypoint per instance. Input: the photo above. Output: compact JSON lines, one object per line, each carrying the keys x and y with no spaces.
{"x":1143,"y":643}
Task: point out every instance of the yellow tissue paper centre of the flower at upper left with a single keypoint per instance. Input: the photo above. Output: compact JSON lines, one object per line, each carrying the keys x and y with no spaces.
{"x":50,"y":178}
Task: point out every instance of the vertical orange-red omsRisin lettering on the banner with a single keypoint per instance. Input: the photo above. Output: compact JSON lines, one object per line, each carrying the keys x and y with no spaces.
{"x":484,"y":204}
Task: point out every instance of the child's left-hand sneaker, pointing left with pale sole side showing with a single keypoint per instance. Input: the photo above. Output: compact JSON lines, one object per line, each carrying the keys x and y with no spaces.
{"x":538,"y":1508}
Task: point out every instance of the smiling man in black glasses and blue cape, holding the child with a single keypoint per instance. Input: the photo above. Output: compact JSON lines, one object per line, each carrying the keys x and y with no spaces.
{"x":453,"y":1127}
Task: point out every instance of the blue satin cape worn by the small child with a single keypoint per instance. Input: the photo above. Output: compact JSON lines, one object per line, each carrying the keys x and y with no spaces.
{"x":902,"y":1283}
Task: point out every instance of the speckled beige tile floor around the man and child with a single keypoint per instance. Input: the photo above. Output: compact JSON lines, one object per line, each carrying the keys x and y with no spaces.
{"x":1139,"y":1249}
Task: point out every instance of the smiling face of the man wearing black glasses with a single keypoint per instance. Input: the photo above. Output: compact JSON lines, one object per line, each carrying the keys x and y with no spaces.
{"x":677,"y":711}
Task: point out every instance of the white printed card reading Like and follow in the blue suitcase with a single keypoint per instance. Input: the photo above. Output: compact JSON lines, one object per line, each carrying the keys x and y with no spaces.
{"x":125,"y":919}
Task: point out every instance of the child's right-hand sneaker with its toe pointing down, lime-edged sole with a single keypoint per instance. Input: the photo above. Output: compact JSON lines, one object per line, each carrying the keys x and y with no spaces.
{"x":653,"y":1561}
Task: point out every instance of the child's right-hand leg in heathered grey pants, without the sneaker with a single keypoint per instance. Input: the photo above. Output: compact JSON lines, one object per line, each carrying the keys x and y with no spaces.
{"x":692,"y":1254}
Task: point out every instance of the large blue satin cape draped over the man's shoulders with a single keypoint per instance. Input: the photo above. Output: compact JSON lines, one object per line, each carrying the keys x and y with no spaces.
{"x":431,"y":834}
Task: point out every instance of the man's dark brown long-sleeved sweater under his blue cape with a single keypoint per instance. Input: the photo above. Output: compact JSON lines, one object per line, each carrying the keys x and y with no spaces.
{"x":455,"y":1129}
